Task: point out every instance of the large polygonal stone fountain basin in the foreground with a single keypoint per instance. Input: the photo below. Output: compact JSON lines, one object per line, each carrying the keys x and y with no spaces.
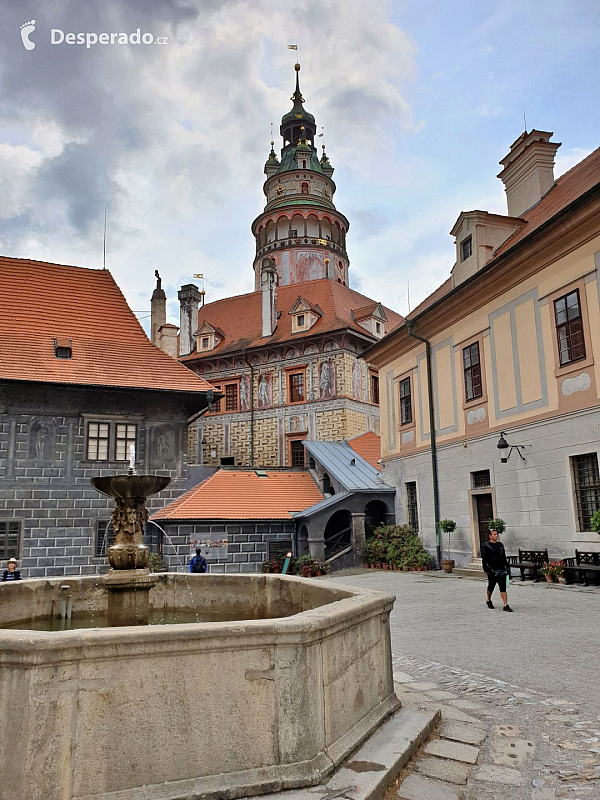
{"x":186,"y":711}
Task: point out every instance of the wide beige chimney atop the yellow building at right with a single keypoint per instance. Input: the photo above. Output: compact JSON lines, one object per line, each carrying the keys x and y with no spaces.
{"x":528,"y":170}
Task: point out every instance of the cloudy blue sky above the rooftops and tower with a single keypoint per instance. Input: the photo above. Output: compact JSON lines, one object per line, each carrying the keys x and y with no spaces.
{"x":418,"y":100}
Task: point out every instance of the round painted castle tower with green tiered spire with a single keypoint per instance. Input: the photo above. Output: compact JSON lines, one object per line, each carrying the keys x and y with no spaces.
{"x":300,"y":231}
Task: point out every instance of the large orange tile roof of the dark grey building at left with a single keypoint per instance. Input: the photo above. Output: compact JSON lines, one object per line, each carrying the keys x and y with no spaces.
{"x":41,"y":302}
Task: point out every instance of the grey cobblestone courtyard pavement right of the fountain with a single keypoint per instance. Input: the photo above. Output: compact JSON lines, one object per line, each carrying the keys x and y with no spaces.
{"x":530,"y":722}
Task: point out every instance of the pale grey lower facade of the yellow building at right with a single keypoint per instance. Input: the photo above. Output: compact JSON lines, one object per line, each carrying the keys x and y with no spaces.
{"x":535,"y":498}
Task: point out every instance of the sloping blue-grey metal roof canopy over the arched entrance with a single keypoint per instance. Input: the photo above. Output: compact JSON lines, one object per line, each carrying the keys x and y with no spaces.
{"x":344,"y":464}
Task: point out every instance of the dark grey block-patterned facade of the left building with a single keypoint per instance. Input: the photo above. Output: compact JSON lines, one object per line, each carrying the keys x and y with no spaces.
{"x":45,"y":475}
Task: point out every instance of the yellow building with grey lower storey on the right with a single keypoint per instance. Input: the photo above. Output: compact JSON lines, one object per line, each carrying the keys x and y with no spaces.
{"x":512,"y":342}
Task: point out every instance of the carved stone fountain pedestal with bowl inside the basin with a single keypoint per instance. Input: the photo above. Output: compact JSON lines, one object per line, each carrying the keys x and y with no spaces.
{"x":129,"y":580}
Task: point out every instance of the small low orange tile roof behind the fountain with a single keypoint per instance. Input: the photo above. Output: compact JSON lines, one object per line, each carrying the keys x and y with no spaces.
{"x":242,"y":494}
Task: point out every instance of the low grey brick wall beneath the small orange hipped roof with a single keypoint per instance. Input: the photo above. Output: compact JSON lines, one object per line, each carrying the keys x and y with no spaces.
{"x":247,"y":543}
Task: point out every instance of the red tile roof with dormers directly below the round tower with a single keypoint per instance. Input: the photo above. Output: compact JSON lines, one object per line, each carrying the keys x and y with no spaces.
{"x":240,"y":317}
